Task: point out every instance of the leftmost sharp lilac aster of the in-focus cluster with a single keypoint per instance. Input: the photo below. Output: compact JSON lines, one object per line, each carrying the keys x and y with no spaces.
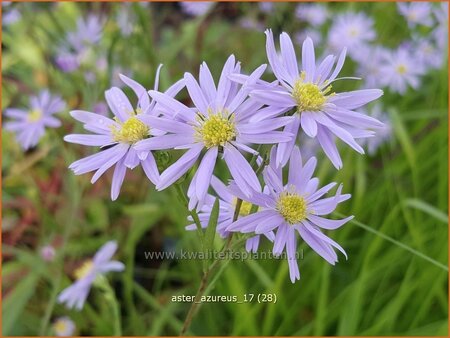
{"x":117,"y":137}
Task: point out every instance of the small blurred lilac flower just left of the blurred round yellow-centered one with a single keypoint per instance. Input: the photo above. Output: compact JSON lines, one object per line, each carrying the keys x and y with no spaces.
{"x":370,"y":60}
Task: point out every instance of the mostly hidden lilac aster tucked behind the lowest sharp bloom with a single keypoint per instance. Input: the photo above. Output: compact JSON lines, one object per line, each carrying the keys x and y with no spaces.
{"x":227,"y":206}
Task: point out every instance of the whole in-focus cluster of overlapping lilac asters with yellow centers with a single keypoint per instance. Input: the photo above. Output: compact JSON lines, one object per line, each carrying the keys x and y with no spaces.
{"x":230,"y":120}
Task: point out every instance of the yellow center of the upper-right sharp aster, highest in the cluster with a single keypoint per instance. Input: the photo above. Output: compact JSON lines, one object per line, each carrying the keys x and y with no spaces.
{"x":308,"y":96}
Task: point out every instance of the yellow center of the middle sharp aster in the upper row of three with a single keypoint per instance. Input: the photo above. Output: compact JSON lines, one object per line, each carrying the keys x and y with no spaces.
{"x":216,"y":129}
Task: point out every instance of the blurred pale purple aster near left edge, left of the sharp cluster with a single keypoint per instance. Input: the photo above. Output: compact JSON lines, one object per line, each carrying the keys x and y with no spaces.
{"x":29,"y":125}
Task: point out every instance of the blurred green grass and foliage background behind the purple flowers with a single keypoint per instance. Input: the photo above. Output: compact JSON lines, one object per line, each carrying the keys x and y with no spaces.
{"x":394,"y":282}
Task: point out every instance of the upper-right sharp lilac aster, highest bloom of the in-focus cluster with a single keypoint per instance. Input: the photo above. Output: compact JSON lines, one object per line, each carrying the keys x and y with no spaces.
{"x":319,"y":112}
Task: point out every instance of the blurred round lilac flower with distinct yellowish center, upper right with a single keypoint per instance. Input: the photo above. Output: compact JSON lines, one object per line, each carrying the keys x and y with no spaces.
{"x":401,"y":69}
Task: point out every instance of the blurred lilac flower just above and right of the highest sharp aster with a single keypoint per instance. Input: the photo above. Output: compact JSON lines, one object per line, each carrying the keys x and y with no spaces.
{"x":352,"y":31}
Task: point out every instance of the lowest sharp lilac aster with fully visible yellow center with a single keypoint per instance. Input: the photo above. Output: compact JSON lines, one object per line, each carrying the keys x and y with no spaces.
{"x":294,"y":207}
